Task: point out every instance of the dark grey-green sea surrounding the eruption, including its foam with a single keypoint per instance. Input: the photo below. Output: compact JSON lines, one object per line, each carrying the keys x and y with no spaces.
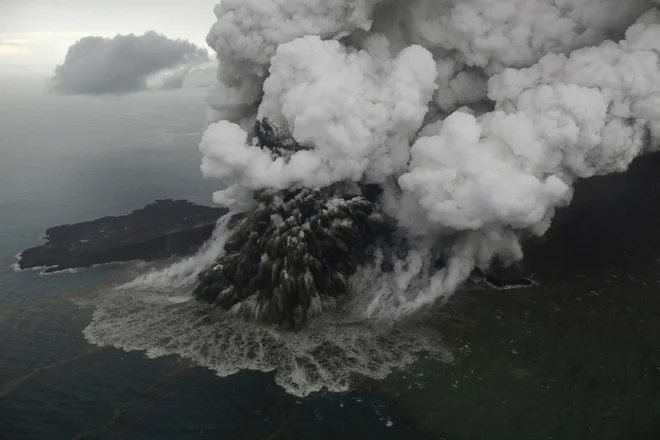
{"x":83,"y":356}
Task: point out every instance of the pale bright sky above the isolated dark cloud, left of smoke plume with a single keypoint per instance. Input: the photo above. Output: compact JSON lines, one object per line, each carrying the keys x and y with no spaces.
{"x":35,"y":34}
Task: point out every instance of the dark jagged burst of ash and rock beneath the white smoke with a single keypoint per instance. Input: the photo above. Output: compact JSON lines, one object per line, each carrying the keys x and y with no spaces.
{"x":293,"y":249}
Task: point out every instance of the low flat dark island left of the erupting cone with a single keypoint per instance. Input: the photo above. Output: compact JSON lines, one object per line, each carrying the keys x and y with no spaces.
{"x":157,"y":231}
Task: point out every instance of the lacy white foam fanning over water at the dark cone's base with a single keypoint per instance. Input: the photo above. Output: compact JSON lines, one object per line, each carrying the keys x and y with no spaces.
{"x":326,"y":354}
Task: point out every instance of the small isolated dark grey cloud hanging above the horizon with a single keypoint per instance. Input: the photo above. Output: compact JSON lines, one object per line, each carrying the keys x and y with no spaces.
{"x":128,"y":64}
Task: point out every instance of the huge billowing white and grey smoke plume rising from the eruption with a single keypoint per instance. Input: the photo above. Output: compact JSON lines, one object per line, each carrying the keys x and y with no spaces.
{"x":474,"y":117}
